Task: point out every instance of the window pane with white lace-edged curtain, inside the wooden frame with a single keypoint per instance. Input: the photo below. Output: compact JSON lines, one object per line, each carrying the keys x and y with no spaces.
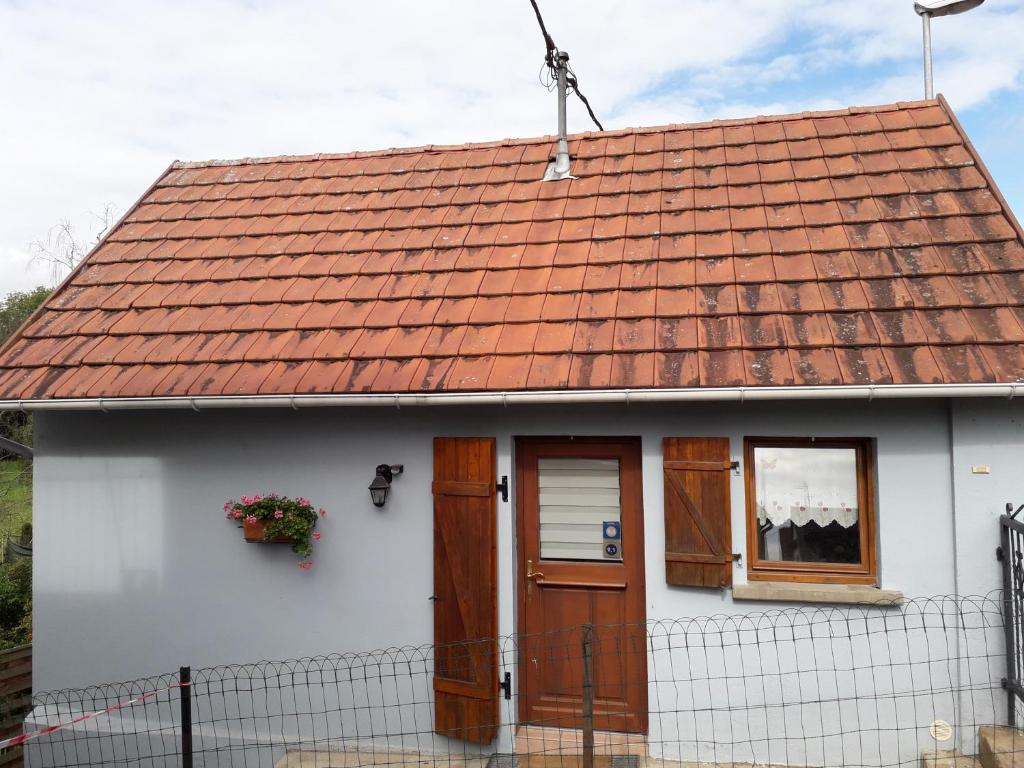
{"x":807,"y":505}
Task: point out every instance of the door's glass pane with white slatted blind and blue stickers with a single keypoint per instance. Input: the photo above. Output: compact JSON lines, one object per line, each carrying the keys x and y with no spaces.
{"x":579,"y":499}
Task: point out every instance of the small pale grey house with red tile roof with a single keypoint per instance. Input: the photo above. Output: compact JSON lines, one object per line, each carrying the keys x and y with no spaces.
{"x":723,"y":369}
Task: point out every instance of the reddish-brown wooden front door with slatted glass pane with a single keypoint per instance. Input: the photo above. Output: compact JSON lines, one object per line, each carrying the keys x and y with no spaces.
{"x":568,"y":491}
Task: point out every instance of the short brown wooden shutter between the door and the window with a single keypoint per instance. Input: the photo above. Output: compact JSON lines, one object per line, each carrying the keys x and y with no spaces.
{"x":698,"y":537}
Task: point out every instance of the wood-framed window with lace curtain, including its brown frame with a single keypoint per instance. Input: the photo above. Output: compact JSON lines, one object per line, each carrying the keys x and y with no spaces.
{"x":810,"y":514}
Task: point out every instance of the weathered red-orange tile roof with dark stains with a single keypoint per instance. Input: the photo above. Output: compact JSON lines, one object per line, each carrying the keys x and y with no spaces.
{"x":856,"y":247}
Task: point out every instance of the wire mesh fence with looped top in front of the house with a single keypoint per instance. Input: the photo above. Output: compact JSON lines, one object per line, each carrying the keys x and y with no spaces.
{"x":861,"y":687}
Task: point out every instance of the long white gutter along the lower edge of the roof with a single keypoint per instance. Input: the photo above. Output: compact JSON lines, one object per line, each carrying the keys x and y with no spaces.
{"x":522,"y":398}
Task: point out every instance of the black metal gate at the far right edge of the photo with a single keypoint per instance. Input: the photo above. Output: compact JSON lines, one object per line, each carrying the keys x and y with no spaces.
{"x":1011,"y":556}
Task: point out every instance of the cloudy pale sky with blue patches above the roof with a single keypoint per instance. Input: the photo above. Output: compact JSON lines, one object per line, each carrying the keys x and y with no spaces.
{"x":98,"y":99}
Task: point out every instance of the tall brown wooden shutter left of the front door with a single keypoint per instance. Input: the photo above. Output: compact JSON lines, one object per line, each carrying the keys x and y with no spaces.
{"x":465,"y":589}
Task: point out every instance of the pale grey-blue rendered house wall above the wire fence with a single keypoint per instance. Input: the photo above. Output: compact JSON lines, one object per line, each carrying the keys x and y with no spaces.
{"x":138,"y":572}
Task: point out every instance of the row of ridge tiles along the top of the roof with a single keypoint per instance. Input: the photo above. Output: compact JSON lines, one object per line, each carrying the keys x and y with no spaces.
{"x":529,"y":141}
